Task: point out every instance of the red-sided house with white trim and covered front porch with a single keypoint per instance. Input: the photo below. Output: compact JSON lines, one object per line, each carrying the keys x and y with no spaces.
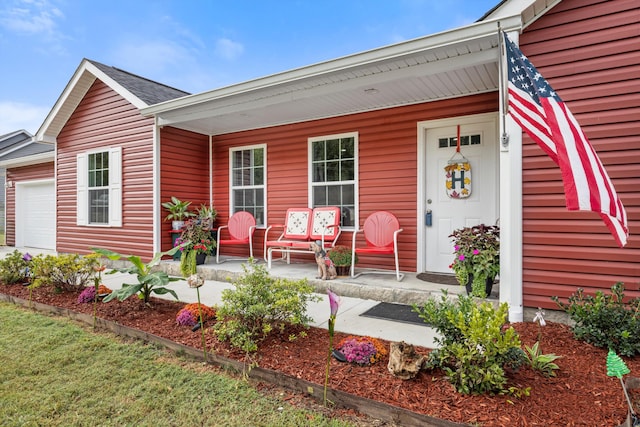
{"x":380,"y":126}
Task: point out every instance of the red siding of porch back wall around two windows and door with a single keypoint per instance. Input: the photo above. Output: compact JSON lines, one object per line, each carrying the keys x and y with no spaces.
{"x":387,"y":165}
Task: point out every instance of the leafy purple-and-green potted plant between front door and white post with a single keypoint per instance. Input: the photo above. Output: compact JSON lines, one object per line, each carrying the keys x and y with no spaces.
{"x":477,"y":257}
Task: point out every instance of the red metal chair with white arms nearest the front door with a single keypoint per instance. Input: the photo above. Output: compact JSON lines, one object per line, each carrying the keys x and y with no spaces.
{"x":380,"y":232}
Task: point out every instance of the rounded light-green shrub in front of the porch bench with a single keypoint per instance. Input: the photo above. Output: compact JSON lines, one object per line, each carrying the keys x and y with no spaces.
{"x":260,"y":304}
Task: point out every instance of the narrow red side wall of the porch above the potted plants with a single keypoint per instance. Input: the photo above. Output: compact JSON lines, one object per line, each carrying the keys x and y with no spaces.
{"x":184,"y":172}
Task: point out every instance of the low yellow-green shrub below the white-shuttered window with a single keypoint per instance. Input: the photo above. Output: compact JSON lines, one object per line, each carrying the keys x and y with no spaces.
{"x":65,"y":272}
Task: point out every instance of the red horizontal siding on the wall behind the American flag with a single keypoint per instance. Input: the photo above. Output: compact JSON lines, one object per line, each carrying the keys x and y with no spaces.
{"x":589,"y":52}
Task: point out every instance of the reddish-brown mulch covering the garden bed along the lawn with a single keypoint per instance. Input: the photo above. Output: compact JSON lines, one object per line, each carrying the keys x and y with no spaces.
{"x":581,"y":395}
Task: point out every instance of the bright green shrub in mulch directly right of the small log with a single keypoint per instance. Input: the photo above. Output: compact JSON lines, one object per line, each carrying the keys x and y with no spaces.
{"x":473,"y":346}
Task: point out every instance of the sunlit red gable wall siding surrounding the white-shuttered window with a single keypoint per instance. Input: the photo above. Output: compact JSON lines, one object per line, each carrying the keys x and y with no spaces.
{"x":105,"y":119}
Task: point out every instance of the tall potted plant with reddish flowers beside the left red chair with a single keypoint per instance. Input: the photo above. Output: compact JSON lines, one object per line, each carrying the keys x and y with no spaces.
{"x":196,"y":244}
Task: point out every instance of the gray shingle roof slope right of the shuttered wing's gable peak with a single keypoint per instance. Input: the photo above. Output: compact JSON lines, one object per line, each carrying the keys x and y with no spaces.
{"x":147,"y":90}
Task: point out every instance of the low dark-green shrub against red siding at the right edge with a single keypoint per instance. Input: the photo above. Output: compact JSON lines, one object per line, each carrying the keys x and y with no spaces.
{"x":604,"y":320}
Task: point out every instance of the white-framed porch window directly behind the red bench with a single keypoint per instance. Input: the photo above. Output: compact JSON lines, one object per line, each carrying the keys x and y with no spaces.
{"x":333,"y":172}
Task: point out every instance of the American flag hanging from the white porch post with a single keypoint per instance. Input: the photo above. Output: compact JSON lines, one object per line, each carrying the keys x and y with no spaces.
{"x":538,"y":109}
